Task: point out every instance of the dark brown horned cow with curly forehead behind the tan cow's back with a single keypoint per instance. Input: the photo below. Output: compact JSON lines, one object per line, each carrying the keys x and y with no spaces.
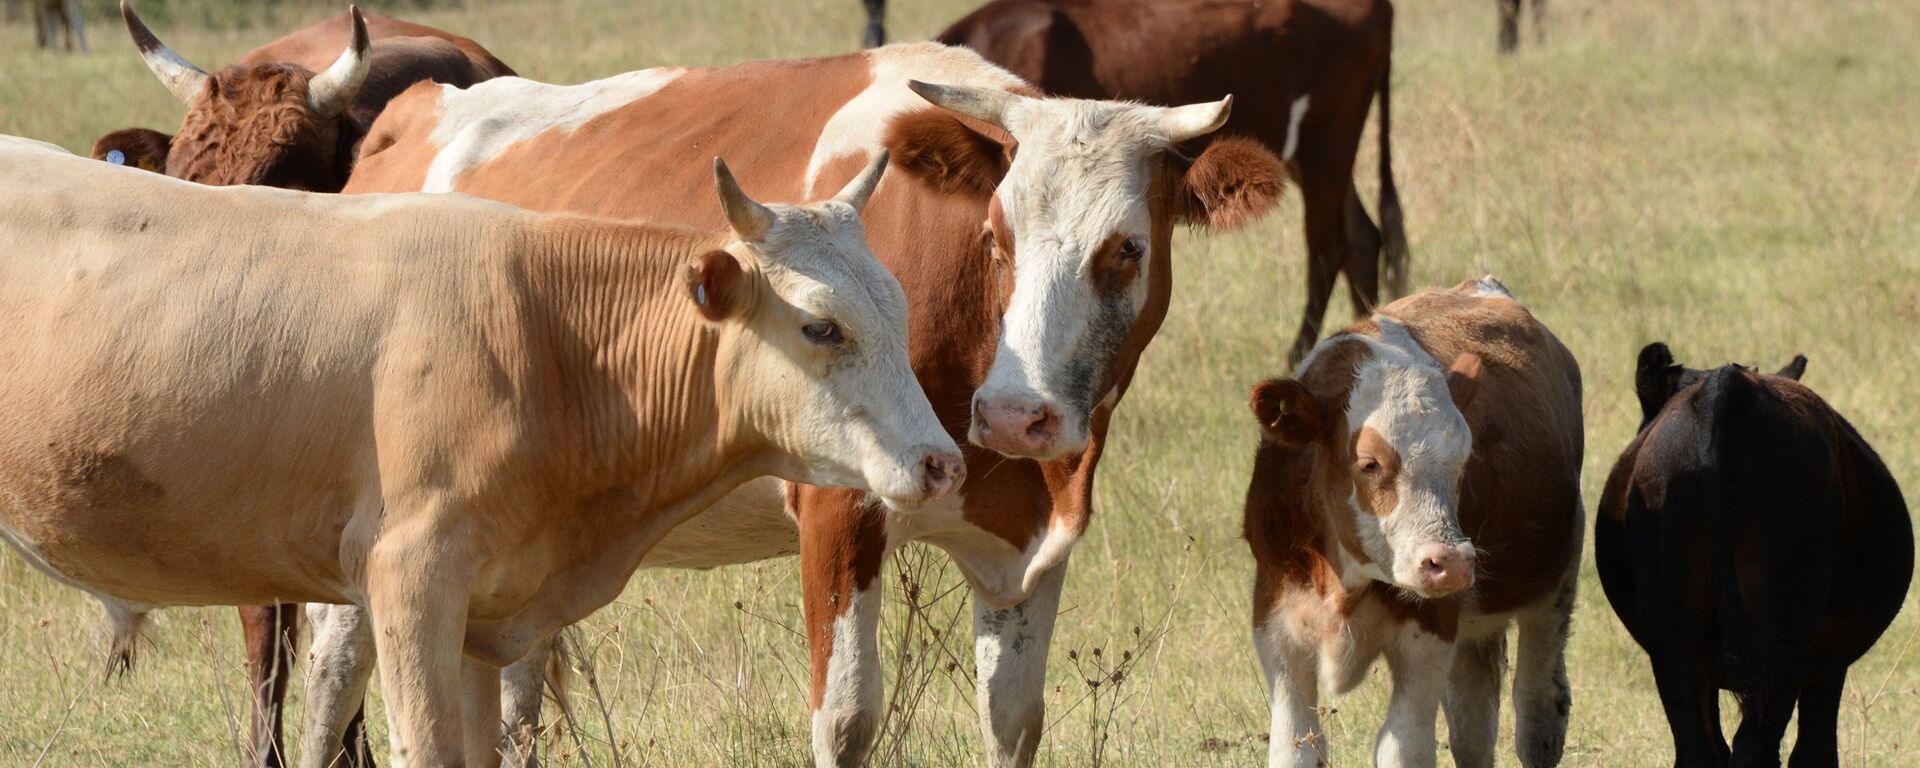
{"x":293,"y":112}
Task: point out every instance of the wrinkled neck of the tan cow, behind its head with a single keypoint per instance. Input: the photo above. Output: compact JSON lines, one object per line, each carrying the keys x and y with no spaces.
{"x":635,"y":364}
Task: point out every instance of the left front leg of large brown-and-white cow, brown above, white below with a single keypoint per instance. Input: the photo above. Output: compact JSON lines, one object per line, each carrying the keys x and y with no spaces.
{"x":842,"y":552}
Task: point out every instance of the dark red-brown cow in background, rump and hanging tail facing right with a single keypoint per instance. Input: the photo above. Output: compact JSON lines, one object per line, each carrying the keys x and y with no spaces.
{"x":1303,"y":74}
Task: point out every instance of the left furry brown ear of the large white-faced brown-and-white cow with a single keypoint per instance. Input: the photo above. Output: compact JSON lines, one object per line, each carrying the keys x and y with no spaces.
{"x":944,"y":153}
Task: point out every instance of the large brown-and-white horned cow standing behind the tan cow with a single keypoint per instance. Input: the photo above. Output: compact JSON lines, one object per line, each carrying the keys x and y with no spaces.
{"x":1034,"y":241}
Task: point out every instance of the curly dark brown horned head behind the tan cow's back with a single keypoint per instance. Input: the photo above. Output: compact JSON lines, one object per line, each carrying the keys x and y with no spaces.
{"x":270,"y":124}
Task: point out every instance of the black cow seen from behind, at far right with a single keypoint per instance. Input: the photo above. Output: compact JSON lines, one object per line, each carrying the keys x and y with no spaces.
{"x":1754,"y":542}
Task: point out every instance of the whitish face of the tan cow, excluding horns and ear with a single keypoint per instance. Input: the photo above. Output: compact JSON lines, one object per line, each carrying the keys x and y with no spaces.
{"x":828,"y":360}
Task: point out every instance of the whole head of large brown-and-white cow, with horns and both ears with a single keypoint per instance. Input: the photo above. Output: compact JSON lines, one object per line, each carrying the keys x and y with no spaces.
{"x":1074,"y":229}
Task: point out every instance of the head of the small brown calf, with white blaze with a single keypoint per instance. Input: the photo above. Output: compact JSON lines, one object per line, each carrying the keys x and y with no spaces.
{"x":1395,"y":458}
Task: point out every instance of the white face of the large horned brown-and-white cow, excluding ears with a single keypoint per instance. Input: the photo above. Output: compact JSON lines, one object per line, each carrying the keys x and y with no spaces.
{"x":1074,"y":206}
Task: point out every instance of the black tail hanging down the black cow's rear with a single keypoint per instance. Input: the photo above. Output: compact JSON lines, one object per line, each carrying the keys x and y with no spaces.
{"x":1721,"y":400}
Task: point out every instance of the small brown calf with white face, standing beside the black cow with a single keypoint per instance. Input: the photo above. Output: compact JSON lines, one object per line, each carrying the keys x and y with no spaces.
{"x":1418,"y":492}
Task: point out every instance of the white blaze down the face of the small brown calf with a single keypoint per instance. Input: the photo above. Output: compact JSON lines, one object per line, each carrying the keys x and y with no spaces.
{"x":1401,"y":396}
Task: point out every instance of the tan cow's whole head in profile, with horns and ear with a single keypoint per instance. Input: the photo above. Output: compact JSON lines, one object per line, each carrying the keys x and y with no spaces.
{"x":815,"y":339}
